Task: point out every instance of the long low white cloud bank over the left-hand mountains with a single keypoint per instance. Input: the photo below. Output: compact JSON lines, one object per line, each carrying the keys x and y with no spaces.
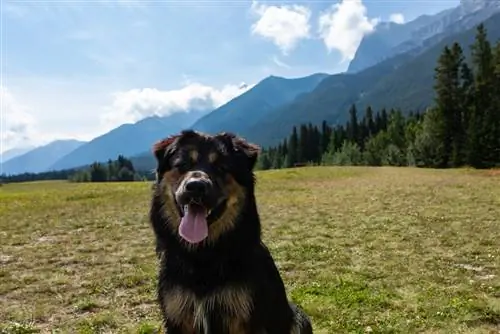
{"x":36,"y":111}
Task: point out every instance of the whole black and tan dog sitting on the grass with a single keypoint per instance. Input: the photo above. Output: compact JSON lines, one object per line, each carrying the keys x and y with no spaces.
{"x":216,"y":276}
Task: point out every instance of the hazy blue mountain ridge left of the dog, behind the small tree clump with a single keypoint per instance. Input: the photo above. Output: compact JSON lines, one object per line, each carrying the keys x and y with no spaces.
{"x":127,"y":139}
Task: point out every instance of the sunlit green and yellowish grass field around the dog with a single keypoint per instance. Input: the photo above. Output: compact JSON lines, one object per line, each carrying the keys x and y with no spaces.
{"x":381,"y":250}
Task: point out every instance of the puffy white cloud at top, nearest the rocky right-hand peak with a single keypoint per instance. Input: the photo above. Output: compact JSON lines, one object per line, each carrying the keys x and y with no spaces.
{"x":343,"y":26}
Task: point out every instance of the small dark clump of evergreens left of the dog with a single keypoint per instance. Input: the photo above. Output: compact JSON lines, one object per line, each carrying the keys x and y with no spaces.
{"x":120,"y":170}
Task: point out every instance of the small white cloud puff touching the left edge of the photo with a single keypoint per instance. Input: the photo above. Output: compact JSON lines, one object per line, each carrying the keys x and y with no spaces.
{"x":17,"y":123}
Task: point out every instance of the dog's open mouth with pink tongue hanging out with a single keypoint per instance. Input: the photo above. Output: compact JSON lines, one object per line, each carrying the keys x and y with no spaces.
{"x":196,"y":219}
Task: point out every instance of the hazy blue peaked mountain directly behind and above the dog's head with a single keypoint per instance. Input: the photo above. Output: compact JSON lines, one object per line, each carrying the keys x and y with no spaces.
{"x":248,"y":108}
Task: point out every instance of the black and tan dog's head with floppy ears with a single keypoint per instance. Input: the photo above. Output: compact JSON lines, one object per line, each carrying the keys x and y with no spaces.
{"x":204,"y":182}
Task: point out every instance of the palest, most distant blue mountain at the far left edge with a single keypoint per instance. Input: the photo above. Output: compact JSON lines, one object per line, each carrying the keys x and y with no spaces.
{"x":39,"y":159}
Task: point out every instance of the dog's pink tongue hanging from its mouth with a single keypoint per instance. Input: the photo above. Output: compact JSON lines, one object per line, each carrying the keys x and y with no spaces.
{"x":194,"y":227}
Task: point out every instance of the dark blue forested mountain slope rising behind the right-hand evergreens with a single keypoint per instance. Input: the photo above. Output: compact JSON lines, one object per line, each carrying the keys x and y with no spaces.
{"x":404,"y":81}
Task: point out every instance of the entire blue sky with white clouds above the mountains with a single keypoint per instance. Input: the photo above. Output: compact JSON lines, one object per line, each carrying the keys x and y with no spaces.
{"x":79,"y":68}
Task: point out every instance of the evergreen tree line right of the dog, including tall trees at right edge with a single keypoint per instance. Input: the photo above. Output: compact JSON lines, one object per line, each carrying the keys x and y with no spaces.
{"x":461,"y":129}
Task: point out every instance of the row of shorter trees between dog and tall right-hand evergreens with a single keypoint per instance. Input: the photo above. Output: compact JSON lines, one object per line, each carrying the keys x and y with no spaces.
{"x":377,"y":139}
